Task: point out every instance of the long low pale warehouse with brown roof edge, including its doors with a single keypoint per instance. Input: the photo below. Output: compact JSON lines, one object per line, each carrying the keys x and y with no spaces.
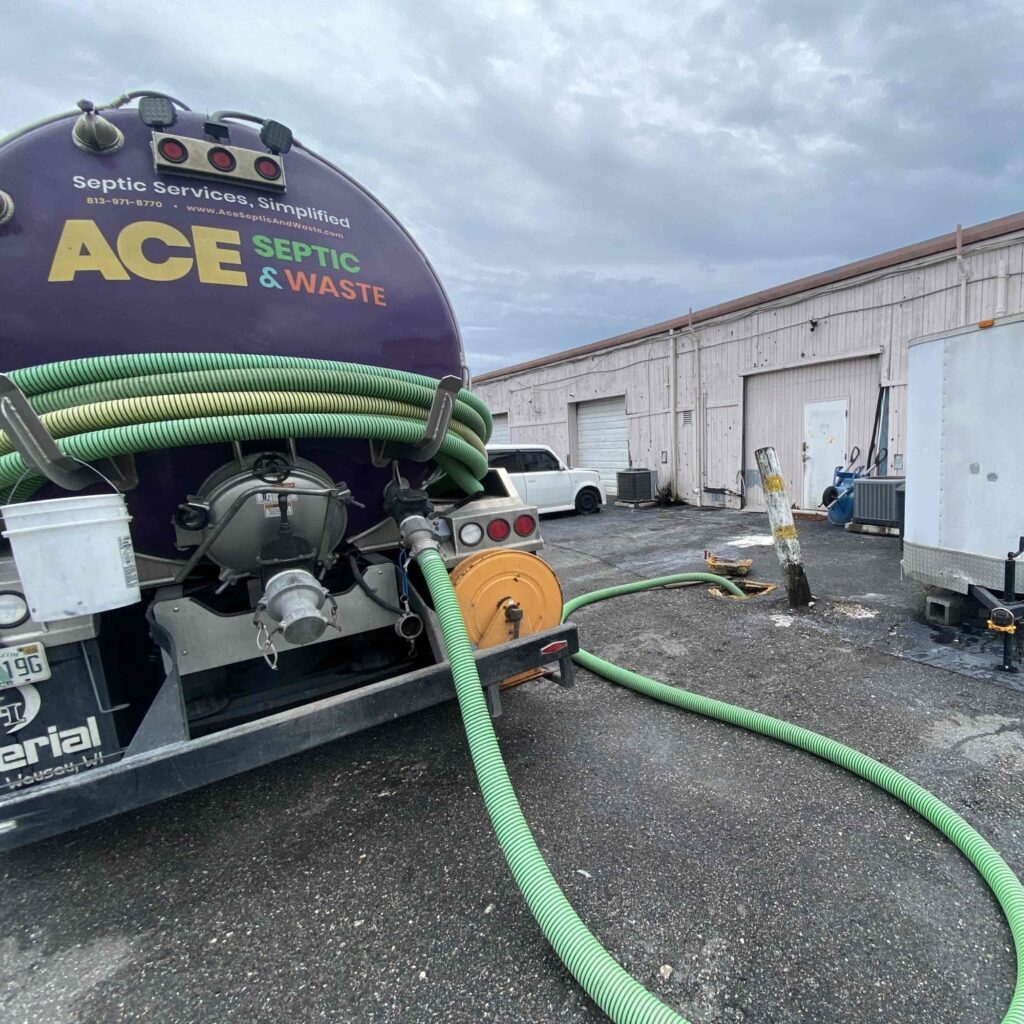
{"x":817,"y":368}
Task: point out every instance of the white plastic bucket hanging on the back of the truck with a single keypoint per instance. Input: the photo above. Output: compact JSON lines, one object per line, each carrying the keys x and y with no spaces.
{"x":74,"y":556}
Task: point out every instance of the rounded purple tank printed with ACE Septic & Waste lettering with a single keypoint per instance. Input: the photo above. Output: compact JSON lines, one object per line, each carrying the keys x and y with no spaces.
{"x":107,"y":254}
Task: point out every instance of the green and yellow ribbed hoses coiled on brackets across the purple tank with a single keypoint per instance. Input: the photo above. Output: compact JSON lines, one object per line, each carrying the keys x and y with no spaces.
{"x":109,"y":406}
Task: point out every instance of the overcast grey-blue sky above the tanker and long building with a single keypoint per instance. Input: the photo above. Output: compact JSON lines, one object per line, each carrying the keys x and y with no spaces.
{"x":579,"y":169}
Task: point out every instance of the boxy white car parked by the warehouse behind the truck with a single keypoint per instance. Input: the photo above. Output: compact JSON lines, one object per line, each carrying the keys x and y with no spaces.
{"x":543,"y":480}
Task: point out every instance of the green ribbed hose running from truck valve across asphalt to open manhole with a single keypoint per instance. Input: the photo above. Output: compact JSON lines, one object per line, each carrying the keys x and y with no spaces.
{"x":618,"y":994}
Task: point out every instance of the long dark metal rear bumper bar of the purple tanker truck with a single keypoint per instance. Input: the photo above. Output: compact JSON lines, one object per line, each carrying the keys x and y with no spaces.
{"x":173,"y":766}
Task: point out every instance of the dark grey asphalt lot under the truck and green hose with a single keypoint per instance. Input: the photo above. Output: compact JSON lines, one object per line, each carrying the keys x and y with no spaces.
{"x":740,"y":880}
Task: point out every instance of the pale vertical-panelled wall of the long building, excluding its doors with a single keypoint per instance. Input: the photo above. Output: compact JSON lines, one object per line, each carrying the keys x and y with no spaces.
{"x":880,"y":314}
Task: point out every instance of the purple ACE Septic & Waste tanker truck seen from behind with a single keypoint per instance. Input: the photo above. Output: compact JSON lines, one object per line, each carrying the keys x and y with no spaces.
{"x":272,"y":606}
